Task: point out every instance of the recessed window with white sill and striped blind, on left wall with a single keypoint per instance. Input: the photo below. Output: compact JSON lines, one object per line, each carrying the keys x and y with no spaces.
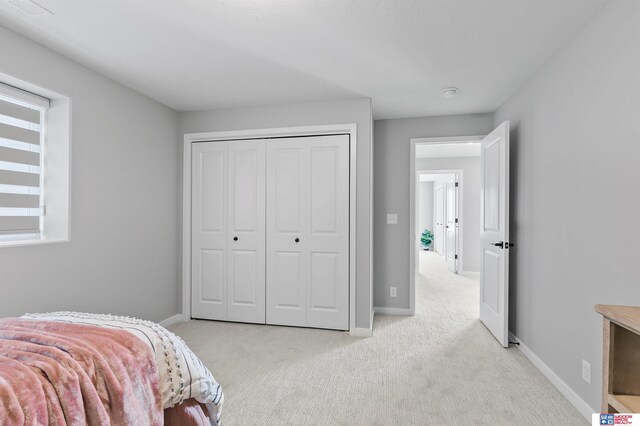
{"x":34,"y":164}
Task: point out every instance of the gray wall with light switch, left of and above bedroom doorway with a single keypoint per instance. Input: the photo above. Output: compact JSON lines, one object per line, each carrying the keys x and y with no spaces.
{"x":391,"y":183}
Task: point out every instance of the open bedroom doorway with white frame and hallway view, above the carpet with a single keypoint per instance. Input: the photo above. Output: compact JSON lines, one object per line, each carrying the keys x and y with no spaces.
{"x":453,"y":167}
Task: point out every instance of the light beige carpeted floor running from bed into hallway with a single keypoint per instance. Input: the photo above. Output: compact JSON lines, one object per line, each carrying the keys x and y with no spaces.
{"x":439,"y":367}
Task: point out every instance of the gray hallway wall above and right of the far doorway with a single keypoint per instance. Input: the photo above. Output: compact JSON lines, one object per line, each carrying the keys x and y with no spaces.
{"x":470,"y":214}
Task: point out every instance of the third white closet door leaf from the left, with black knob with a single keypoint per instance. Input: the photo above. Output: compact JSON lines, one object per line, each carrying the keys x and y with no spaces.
{"x":287,"y":177}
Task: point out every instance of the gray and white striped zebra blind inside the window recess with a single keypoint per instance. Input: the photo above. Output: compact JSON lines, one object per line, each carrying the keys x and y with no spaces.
{"x":21,"y":127}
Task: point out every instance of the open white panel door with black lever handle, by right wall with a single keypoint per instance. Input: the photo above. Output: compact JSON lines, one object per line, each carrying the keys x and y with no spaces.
{"x":494,"y":233}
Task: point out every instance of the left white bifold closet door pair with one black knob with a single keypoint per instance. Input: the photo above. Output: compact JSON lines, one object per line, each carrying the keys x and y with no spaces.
{"x":228,"y":231}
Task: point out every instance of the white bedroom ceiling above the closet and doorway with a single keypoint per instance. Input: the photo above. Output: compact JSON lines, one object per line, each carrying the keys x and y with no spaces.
{"x":209,"y":54}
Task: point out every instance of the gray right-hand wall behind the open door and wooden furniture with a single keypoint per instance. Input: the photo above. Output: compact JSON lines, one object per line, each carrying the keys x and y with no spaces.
{"x":576,"y":121}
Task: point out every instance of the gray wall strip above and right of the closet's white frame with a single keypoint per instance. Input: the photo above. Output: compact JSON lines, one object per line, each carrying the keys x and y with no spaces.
{"x":309,"y":114}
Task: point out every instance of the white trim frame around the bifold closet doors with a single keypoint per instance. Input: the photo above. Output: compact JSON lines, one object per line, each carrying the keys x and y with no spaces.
{"x":280,"y":132}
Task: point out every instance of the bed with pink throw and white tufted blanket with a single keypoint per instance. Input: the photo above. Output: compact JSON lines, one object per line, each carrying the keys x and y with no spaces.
{"x":69,"y":368}
